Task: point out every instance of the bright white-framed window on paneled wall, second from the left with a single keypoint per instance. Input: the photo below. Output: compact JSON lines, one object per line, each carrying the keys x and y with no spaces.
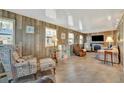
{"x":50,"y":34}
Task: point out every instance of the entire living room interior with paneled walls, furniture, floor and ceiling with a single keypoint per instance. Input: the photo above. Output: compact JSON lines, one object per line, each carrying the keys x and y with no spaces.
{"x":37,"y":46}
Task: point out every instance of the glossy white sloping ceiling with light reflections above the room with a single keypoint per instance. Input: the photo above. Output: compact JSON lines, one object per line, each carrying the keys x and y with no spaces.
{"x":93,"y":20}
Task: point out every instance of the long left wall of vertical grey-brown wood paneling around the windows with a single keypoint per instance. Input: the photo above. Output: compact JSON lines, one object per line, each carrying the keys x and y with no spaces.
{"x":34,"y":44}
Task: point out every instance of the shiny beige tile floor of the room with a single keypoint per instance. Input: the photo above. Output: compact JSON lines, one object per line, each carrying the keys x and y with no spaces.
{"x":84,"y":70}
